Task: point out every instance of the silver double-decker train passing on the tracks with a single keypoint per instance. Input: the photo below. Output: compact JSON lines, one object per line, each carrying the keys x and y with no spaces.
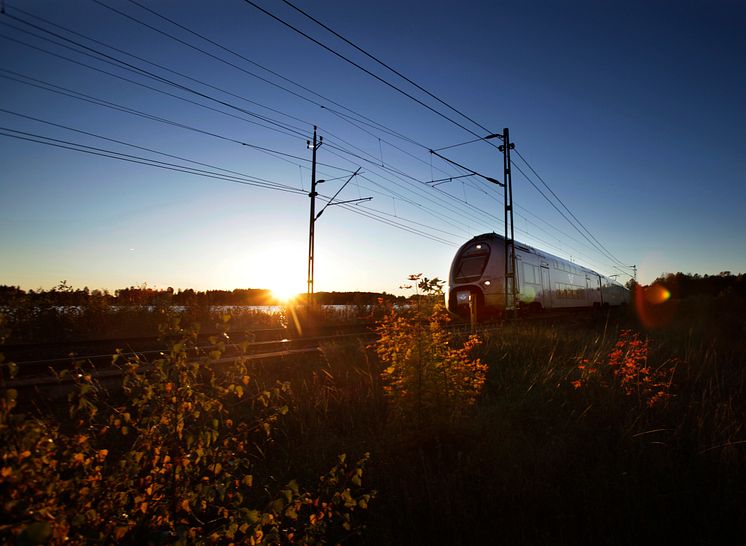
{"x":476,"y":283}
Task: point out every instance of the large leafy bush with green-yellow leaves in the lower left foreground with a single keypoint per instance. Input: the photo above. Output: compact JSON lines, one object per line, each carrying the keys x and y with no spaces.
{"x":180,"y":455}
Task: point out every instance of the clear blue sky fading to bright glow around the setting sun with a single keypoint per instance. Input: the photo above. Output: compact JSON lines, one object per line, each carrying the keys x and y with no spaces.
{"x":165,"y":142}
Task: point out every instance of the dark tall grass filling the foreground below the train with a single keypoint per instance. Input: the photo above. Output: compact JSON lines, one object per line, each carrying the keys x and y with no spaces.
{"x":560,"y":448}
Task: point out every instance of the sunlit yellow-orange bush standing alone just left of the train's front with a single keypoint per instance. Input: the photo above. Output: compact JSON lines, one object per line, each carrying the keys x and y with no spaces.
{"x":427,"y":376}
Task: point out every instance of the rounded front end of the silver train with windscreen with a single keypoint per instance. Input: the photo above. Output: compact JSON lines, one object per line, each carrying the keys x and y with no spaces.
{"x":476,"y":280}
